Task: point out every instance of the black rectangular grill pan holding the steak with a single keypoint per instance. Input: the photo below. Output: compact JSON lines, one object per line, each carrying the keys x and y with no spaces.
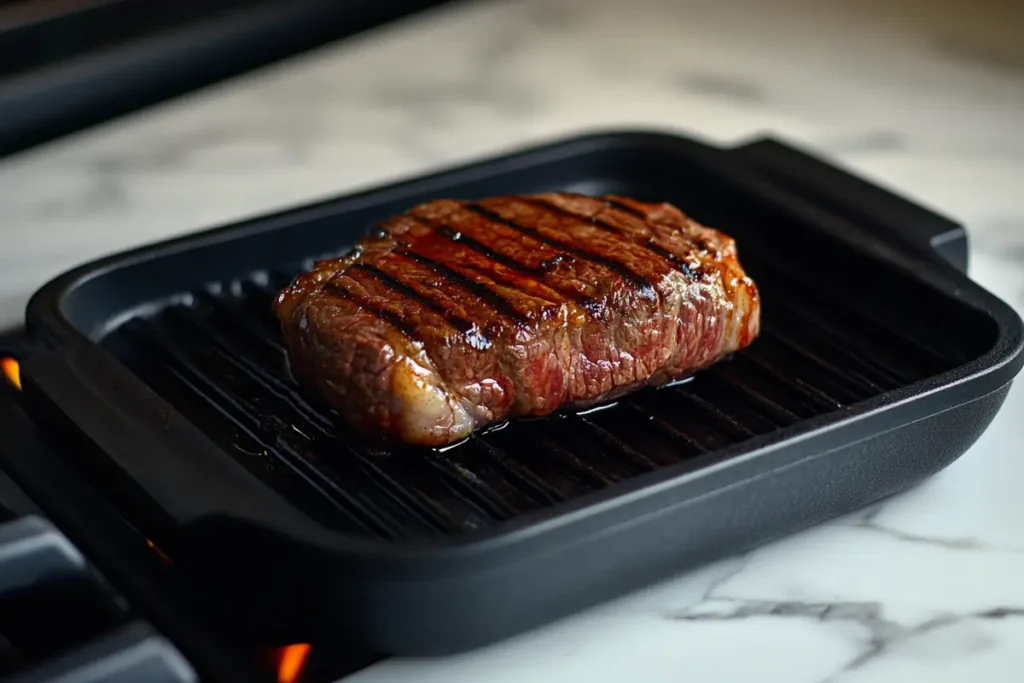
{"x":880,"y":363}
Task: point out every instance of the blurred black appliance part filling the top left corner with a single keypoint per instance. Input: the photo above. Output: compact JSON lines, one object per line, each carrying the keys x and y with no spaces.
{"x":70,"y":64}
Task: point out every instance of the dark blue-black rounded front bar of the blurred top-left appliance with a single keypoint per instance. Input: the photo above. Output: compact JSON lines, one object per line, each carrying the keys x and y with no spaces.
{"x":65,"y":98}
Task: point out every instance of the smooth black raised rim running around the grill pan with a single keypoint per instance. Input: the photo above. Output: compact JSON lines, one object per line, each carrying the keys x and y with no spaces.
{"x":49,"y":321}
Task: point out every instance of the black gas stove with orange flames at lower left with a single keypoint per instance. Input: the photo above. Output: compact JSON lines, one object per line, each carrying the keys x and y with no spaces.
{"x":86,"y":599}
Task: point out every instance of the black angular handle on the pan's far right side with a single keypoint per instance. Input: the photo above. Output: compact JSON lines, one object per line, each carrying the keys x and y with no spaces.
{"x":889,"y":217}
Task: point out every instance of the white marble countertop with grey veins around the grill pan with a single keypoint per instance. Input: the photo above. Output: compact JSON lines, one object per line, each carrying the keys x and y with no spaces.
{"x":918,"y":96}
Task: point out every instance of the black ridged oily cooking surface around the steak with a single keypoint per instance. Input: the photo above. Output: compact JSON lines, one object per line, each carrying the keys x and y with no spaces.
{"x":219,"y":359}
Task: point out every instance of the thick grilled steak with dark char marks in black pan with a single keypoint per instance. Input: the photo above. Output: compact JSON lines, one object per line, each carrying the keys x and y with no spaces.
{"x":459,"y":315}
